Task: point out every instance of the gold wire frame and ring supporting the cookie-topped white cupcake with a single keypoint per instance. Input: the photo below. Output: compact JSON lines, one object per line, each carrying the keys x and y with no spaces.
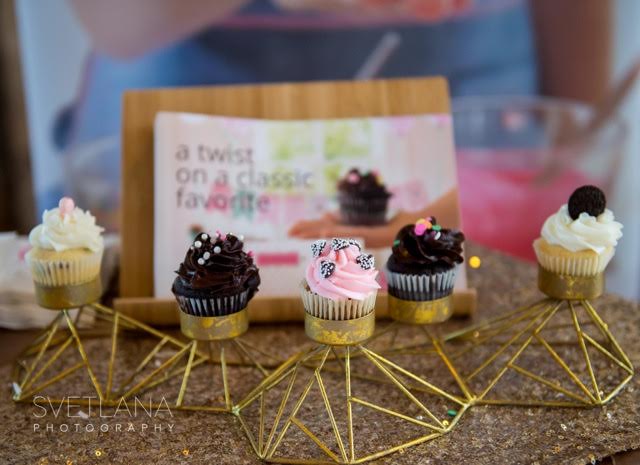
{"x":565,"y":294}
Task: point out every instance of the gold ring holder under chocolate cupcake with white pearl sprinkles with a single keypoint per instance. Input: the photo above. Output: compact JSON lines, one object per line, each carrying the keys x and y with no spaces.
{"x":214,"y":328}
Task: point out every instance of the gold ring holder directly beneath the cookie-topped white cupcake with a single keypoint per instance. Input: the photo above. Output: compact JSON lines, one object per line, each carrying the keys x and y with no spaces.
{"x":567,"y":287}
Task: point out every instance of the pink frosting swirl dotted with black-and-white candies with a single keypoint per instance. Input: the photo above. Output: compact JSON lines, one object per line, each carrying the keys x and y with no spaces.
{"x":340,"y":271}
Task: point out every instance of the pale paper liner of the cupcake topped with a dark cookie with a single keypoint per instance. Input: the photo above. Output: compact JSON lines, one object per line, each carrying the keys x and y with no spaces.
{"x":573,"y":265}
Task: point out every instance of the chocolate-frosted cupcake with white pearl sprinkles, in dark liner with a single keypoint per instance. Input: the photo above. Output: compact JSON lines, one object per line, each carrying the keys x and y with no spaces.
{"x":217,"y":277}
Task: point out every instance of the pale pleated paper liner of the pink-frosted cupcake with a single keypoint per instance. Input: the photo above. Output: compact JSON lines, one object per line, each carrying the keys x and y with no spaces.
{"x":337,"y":310}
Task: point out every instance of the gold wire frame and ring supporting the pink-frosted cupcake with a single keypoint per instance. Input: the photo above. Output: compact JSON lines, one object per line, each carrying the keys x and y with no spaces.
{"x":270,"y":437}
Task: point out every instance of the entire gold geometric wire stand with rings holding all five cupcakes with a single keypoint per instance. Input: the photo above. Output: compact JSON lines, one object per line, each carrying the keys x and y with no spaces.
{"x":279,"y":415}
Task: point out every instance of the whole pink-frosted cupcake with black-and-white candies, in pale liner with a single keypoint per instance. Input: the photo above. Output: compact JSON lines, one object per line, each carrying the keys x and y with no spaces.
{"x":340,"y":281}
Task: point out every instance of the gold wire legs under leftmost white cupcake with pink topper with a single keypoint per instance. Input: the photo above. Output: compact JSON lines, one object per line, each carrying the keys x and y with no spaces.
{"x":60,"y":353}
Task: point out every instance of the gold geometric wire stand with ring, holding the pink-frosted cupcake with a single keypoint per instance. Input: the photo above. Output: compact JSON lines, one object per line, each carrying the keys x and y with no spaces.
{"x":327,"y":404}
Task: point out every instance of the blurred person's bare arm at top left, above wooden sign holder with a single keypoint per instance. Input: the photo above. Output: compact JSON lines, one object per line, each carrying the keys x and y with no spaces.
{"x":128,"y":28}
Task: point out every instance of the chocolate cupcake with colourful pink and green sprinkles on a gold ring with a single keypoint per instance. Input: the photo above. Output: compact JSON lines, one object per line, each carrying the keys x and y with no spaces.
{"x":424,"y":261}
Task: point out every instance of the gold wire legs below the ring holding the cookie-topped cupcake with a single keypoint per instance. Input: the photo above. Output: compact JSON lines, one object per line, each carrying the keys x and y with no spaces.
{"x":556,"y":352}
